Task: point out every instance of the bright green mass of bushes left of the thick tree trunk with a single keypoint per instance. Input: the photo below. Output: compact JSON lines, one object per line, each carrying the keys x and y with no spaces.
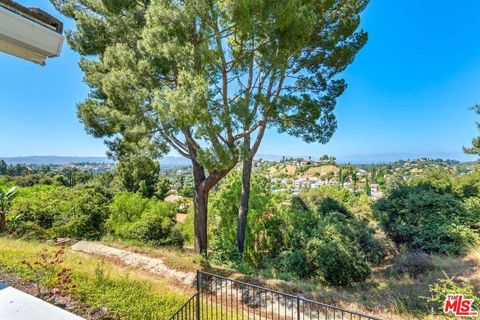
{"x":127,"y":205}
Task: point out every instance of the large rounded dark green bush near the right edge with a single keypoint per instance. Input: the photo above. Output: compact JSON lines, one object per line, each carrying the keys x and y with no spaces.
{"x":426,"y":217}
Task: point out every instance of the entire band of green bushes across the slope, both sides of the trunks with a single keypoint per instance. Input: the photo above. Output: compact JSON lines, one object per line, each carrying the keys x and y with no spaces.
{"x":327,"y":236}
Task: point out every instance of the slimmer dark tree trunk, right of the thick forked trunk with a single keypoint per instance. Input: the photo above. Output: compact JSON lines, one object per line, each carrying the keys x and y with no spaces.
{"x":243,"y":207}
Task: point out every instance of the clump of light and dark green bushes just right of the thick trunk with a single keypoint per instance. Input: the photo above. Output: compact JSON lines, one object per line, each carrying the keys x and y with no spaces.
{"x":326,"y":243}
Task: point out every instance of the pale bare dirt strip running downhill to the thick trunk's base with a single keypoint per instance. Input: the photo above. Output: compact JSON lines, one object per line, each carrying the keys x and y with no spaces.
{"x":152,"y":265}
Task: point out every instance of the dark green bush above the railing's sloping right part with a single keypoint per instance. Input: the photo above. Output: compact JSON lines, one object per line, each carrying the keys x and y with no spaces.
{"x":331,"y":247}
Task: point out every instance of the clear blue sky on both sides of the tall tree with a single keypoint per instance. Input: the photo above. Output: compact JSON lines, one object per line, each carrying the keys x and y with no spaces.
{"x":409,"y":90}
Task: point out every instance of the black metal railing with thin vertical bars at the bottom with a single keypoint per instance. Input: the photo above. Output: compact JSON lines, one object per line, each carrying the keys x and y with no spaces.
{"x":222,"y":298}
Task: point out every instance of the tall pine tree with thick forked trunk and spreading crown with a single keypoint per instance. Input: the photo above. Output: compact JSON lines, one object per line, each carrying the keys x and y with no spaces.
{"x":206,"y":77}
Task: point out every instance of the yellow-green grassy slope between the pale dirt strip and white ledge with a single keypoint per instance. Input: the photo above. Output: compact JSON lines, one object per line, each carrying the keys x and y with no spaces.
{"x":129,"y":295}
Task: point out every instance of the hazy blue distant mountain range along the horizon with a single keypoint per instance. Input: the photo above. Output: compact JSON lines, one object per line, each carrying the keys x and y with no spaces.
{"x":173,"y":161}
